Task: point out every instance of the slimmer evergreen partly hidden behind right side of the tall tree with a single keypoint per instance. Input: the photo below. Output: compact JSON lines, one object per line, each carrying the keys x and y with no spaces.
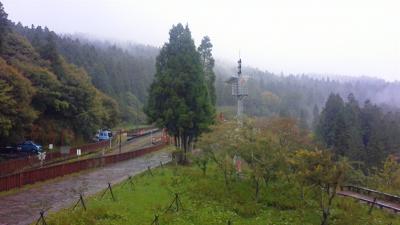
{"x":208,"y":61}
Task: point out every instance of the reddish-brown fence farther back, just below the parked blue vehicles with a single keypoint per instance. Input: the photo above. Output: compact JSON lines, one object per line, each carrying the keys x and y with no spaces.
{"x":15,"y":165}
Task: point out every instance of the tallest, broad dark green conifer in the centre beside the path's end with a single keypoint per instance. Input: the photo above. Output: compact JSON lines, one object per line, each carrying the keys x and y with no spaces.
{"x":178,"y":97}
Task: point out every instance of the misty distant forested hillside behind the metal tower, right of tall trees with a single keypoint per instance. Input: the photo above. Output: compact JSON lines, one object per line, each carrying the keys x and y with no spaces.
{"x":301,"y":96}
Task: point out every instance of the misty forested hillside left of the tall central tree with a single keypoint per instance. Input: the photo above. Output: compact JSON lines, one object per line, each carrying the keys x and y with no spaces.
{"x":123,"y":74}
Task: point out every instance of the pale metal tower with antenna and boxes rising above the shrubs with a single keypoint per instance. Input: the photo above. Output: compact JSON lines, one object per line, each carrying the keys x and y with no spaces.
{"x":239,"y":89}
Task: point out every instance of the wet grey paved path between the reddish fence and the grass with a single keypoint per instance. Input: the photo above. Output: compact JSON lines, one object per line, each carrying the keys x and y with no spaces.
{"x":23,"y":207}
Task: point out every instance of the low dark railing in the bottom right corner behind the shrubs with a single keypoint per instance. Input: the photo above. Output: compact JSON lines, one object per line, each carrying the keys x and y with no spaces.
{"x":376,"y":195}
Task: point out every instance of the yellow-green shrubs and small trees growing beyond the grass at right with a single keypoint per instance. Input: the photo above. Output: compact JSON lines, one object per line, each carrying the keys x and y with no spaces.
{"x":277,"y":150}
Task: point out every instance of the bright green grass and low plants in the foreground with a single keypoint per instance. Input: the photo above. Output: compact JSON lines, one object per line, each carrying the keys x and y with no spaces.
{"x":206,"y":200}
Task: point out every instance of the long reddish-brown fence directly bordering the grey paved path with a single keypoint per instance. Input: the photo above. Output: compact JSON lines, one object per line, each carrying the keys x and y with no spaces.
{"x":46,"y":173}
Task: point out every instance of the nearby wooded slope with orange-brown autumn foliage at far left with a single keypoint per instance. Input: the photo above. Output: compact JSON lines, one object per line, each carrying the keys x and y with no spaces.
{"x":42,"y":96}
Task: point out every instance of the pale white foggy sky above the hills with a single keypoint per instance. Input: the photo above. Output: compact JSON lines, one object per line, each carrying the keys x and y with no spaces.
{"x":346,"y":37}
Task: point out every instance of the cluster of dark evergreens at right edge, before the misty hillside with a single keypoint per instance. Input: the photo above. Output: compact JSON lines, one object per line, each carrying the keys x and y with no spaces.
{"x":365,"y":134}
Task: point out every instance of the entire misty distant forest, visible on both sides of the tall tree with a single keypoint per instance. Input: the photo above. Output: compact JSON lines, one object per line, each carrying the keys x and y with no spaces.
{"x":124,"y":71}
